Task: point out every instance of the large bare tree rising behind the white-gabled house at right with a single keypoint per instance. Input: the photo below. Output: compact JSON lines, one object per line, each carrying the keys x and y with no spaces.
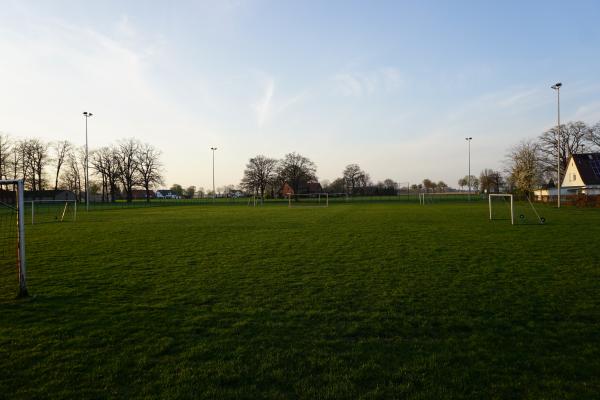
{"x":573,"y":138}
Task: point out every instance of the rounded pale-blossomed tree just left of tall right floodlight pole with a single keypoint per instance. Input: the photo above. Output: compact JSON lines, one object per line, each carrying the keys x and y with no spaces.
{"x":525,"y":166}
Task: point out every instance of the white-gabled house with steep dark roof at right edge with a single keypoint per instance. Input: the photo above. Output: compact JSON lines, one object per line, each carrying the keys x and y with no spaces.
{"x":583,"y":174}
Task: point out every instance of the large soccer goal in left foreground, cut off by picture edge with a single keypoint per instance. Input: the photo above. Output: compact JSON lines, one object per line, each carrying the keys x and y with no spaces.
{"x":12,"y":238}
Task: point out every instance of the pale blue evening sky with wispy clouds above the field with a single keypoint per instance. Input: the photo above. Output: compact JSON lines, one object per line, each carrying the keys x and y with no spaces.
{"x":393,"y":86}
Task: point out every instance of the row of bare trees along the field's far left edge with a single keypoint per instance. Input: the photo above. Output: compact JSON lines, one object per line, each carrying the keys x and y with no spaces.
{"x":119,"y":168}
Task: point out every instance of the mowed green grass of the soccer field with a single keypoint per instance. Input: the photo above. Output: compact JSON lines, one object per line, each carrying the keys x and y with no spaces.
{"x":351,"y":301}
